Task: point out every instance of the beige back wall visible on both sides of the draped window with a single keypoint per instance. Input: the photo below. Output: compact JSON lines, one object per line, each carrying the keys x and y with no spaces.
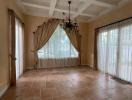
{"x":31,"y":23}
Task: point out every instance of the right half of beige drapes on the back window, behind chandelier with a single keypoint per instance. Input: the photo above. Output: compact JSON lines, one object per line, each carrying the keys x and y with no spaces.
{"x":75,"y":39}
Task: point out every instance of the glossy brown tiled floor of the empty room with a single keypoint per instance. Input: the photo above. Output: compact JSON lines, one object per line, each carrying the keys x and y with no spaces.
{"x":68,"y":84}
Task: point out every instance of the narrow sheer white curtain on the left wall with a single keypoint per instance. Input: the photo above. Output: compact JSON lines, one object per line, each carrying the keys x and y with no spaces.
{"x":19,"y":48}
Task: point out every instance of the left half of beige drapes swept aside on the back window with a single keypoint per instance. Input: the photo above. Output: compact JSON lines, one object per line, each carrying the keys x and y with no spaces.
{"x":43,"y":34}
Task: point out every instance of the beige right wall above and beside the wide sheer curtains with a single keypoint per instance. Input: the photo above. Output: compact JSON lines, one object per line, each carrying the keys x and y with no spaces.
{"x":118,"y":14}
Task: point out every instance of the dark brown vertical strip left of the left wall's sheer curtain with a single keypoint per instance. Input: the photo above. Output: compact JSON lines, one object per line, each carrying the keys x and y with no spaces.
{"x":12,"y":46}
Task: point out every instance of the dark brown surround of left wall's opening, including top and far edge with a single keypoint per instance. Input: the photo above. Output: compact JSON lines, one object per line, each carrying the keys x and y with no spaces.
{"x":12,"y":45}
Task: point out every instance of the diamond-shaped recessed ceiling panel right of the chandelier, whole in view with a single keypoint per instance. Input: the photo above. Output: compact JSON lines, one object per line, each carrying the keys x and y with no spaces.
{"x":94,"y":9}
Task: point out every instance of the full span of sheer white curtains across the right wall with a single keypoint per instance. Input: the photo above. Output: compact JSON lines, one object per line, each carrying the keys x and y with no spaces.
{"x":115,"y":50}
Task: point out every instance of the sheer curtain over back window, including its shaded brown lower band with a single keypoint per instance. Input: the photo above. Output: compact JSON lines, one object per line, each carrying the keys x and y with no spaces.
{"x":58,"y":51}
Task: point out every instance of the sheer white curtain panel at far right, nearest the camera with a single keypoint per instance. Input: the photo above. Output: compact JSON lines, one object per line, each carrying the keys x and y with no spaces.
{"x":125,"y":53}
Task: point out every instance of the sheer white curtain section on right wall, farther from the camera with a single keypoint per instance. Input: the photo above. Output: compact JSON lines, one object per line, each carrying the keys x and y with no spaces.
{"x":107,"y":51}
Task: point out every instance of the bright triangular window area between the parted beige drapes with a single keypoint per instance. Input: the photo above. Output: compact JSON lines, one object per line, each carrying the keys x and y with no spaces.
{"x":58,"y":46}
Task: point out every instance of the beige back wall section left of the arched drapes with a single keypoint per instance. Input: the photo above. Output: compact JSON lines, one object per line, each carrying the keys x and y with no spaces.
{"x":31,"y":24}
